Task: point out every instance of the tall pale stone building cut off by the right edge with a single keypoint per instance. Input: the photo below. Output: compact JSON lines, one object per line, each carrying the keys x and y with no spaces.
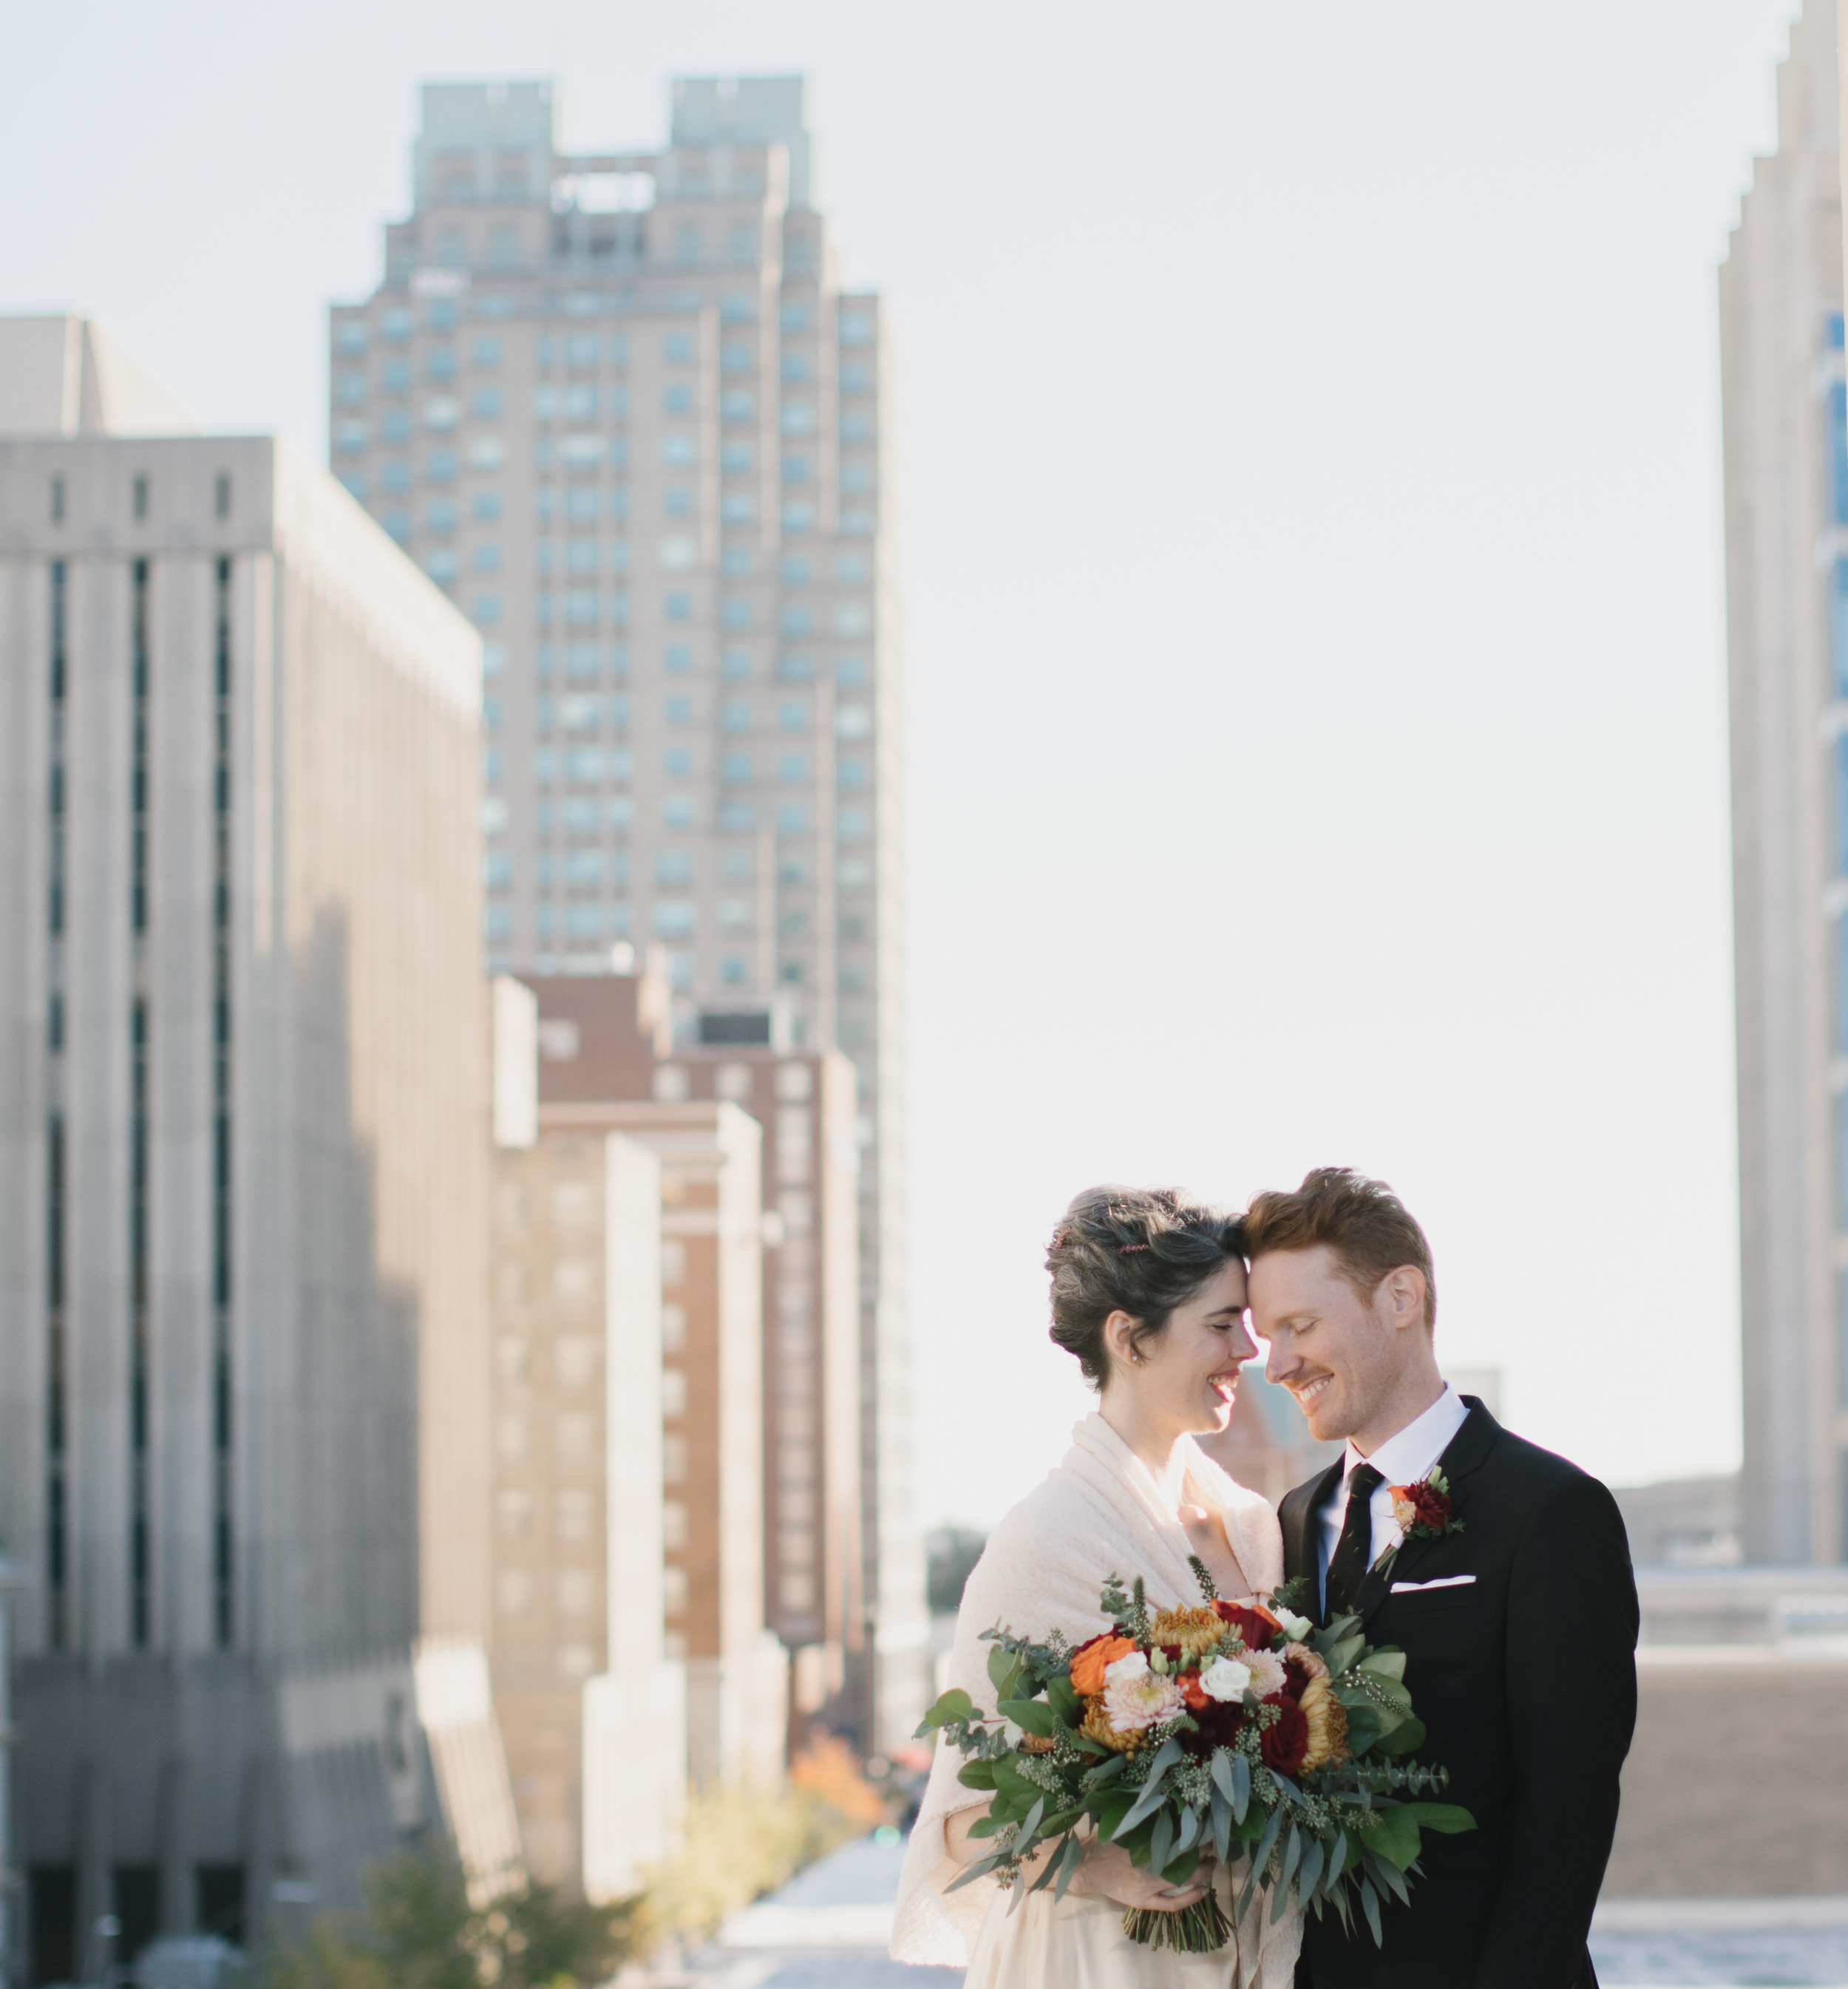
{"x":1787,"y":641}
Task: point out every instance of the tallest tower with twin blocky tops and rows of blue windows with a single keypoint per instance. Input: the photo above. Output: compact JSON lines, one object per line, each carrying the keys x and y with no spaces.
{"x":624,"y":409}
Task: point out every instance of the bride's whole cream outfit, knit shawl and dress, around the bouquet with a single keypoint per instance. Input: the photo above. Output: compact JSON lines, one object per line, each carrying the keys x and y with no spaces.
{"x":1099,"y":1515}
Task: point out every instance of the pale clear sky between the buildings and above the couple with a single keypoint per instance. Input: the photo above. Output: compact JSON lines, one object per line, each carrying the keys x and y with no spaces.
{"x":1312,"y":560}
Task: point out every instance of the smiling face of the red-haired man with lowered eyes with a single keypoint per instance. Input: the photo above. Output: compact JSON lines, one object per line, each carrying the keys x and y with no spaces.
{"x":1338,"y":1354}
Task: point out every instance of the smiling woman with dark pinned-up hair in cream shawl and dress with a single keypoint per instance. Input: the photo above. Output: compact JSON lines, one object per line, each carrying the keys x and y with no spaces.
{"x":1149,"y":1292}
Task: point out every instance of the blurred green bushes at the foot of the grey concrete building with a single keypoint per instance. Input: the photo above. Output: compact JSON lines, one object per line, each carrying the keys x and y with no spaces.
{"x":421,"y":1932}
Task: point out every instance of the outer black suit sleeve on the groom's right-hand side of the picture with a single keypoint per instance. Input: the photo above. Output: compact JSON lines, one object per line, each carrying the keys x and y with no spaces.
{"x":1572,"y":1708}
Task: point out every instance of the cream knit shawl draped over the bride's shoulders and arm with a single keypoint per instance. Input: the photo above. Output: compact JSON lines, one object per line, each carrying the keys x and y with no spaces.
{"x":1041,"y":1570}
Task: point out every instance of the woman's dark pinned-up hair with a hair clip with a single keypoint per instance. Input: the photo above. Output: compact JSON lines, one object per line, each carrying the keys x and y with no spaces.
{"x":1139,"y":1252}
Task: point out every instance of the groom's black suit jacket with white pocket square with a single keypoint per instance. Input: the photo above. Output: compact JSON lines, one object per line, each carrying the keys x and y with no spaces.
{"x":1529,"y":1692}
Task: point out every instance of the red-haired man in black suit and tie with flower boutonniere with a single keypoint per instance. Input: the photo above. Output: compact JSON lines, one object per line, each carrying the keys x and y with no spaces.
{"x":1519,"y":1628}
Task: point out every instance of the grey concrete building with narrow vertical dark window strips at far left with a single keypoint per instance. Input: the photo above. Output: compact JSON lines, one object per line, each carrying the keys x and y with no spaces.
{"x":244,"y":1151}
